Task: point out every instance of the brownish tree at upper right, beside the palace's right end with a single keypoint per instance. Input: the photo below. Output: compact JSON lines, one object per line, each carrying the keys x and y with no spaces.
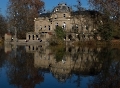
{"x":110,"y":8}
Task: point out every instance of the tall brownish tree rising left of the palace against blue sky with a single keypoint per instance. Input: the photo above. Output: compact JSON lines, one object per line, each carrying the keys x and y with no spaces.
{"x":21,"y":14}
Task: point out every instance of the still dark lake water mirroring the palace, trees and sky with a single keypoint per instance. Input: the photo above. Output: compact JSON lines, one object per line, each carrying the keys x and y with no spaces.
{"x":59,"y":67}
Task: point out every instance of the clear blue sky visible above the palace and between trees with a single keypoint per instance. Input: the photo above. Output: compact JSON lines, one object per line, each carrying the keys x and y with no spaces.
{"x":49,"y":4}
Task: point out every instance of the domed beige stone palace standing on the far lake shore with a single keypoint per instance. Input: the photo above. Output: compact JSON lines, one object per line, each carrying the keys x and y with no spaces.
{"x":78,"y":25}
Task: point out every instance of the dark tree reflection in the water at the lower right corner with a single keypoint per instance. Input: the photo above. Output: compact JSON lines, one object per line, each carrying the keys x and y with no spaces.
{"x":109,"y":76}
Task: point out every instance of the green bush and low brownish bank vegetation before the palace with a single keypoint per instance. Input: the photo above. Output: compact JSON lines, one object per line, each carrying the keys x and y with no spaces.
{"x":107,"y":40}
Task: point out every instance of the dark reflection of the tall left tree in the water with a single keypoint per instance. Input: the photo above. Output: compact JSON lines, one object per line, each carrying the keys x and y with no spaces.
{"x":21,"y":71}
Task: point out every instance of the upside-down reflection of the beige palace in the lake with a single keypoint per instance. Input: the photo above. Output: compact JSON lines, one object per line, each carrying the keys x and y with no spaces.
{"x":75,"y":59}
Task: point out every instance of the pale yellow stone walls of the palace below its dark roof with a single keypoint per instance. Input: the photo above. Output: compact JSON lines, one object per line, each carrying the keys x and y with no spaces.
{"x":84,"y":23}
